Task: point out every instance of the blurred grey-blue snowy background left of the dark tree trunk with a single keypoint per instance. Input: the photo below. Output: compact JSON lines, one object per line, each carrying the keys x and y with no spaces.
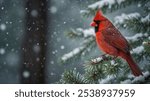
{"x":11,"y":32}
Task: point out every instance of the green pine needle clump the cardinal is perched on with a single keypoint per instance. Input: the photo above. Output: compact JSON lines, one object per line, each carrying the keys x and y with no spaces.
{"x":96,"y":69}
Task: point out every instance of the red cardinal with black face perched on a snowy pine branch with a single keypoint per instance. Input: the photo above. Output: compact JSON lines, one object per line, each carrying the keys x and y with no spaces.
{"x":110,"y":40}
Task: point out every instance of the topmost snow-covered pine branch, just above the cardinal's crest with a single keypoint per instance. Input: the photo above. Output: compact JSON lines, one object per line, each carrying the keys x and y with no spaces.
{"x":107,"y":5}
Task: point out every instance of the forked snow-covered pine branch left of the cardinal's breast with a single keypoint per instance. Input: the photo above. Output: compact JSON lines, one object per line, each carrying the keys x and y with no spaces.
{"x":86,"y":45}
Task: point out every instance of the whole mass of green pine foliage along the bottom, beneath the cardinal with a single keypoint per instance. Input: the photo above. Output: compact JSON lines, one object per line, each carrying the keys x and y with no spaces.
{"x":97,"y":73}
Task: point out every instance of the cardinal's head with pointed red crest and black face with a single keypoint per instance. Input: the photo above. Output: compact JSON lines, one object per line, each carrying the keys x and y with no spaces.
{"x":97,"y":20}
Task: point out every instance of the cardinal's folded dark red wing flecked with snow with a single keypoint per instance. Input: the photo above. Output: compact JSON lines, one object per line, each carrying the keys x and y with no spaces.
{"x":113,"y":37}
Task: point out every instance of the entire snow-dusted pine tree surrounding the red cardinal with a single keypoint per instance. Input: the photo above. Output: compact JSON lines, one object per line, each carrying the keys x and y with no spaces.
{"x":105,"y":69}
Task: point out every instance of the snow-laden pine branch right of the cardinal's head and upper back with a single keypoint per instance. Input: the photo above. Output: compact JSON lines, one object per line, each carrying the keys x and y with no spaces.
{"x":133,"y":21}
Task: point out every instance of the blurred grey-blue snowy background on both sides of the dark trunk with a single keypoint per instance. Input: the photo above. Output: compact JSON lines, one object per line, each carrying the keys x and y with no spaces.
{"x":62,"y":15}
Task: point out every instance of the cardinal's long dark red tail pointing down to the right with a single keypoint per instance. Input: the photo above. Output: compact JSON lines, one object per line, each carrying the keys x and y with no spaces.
{"x":133,"y":66}
